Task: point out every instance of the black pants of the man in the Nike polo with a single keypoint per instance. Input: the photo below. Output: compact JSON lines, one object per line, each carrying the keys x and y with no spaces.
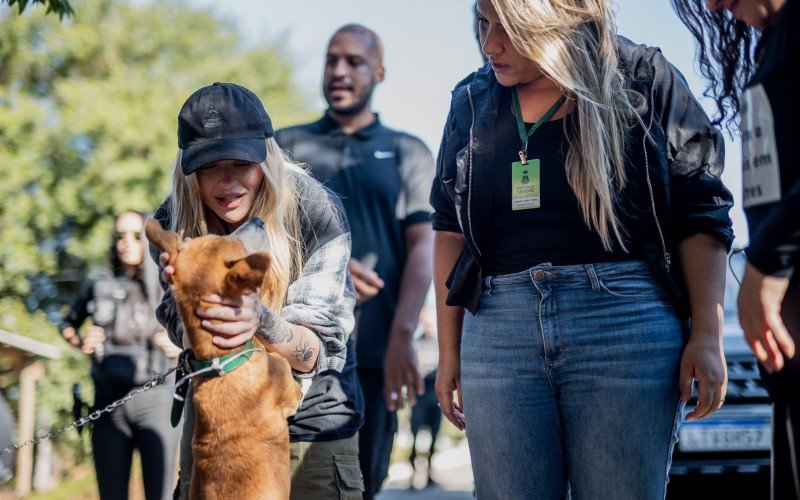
{"x":377,"y":435}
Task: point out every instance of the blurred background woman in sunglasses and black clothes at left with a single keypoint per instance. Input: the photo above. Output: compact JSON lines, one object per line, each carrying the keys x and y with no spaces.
{"x":127,"y":344}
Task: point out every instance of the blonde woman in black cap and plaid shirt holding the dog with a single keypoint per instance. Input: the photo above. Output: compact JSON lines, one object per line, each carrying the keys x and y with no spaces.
{"x":229,"y":169}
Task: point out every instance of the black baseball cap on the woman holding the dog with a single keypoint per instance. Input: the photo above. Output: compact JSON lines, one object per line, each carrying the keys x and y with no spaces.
{"x":222,"y":121}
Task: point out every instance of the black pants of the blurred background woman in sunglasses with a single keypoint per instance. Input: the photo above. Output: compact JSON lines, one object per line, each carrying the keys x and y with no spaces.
{"x":142,"y":424}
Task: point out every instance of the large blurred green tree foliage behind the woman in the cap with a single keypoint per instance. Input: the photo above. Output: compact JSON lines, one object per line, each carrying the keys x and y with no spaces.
{"x":88,"y":110}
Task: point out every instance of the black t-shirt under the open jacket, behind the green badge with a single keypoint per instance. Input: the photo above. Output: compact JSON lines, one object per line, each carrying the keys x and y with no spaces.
{"x":555,"y":231}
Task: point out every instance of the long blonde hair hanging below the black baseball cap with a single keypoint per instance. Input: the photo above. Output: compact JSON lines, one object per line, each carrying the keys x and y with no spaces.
{"x":276,"y":202}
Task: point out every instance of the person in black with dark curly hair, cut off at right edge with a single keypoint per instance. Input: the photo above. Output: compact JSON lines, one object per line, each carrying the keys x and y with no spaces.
{"x":749,"y":50}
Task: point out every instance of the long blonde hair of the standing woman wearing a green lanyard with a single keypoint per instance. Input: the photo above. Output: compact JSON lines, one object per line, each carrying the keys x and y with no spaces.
{"x":574,"y":43}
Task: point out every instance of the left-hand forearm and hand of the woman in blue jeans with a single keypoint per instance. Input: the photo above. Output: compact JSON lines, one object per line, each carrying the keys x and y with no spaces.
{"x":447,"y":246}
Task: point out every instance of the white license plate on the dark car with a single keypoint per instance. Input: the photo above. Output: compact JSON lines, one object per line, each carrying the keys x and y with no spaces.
{"x":723,"y":435}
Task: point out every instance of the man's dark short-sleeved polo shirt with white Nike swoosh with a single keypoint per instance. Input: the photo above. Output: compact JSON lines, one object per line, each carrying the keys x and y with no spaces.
{"x":383,"y":178}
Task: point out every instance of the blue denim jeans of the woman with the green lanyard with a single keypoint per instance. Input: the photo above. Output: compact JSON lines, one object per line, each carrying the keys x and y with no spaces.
{"x":569,"y":380}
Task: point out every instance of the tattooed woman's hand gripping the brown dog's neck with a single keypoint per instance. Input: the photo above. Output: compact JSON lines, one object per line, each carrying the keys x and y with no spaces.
{"x":232,"y":320}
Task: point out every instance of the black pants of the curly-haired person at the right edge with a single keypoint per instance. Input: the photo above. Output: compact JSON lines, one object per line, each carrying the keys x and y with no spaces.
{"x":784,"y":388}
